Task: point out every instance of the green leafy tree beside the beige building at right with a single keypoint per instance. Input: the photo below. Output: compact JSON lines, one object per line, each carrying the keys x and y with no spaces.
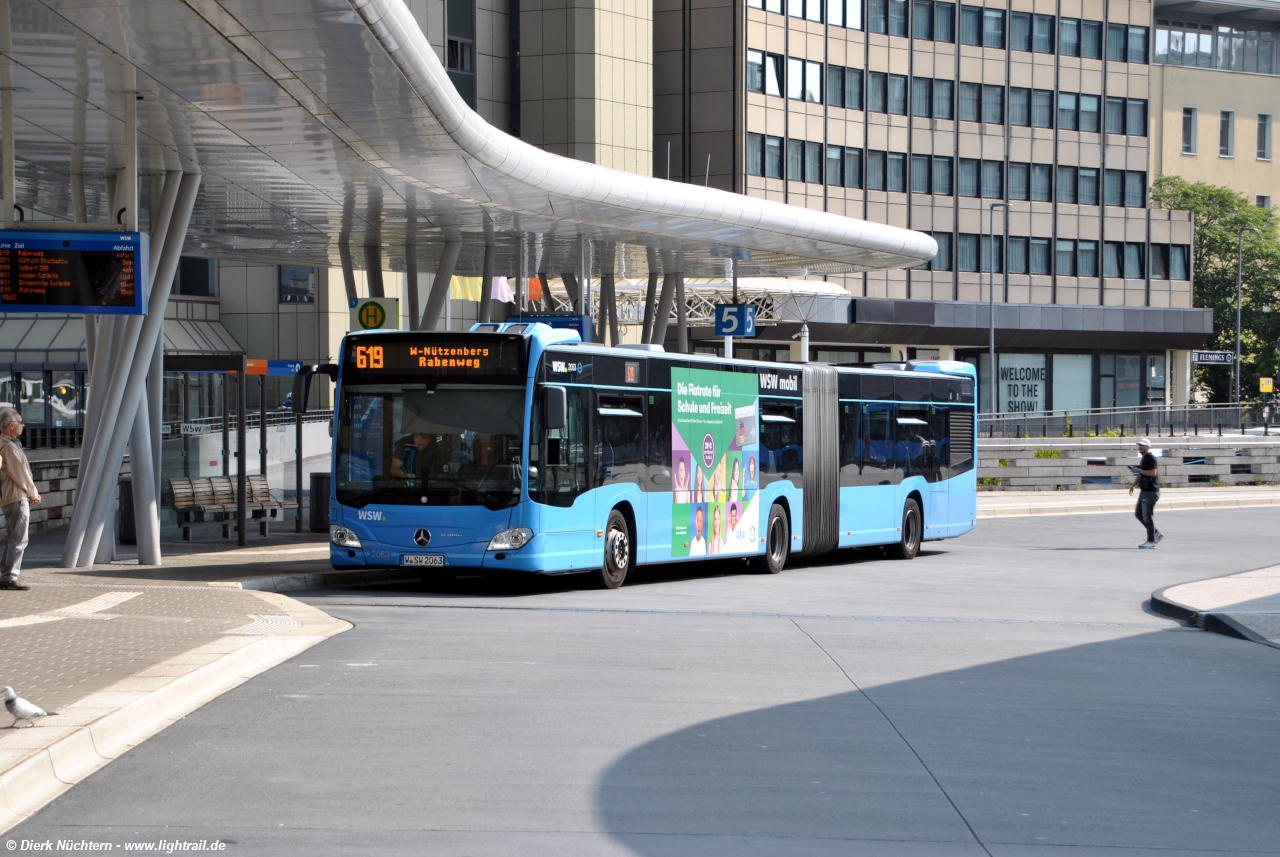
{"x":1219,"y":214}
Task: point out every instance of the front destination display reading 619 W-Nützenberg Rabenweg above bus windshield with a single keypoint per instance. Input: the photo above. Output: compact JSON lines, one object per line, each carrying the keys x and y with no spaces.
{"x":476,"y":358}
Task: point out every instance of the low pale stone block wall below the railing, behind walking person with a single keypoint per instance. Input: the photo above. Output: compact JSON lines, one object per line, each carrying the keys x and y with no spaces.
{"x":1101,"y":464}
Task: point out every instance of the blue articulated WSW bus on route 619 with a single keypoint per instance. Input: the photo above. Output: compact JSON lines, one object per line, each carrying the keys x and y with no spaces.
{"x":516,"y":447}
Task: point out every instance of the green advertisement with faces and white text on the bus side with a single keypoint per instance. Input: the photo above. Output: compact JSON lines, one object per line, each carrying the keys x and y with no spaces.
{"x":715,"y":443}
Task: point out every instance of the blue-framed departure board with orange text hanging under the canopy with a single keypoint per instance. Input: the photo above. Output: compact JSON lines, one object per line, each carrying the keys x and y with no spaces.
{"x":74,"y":272}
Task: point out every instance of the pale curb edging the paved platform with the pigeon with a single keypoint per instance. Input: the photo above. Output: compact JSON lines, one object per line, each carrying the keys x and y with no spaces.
{"x":109,"y":730}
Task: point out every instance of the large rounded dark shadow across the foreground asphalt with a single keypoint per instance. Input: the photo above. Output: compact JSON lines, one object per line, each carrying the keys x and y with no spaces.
{"x":1142,"y":743}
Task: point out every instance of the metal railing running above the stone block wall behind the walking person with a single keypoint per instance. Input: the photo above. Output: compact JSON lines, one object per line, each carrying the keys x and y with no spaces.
{"x":1160,"y":420}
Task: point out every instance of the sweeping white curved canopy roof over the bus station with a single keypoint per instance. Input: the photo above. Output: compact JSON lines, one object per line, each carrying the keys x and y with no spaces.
{"x":322,"y":122}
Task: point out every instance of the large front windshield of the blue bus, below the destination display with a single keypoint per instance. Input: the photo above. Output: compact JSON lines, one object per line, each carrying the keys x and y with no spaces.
{"x":405,"y":444}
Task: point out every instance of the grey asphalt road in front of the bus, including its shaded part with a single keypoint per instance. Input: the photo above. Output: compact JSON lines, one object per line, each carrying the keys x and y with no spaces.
{"x":1004,"y":694}
